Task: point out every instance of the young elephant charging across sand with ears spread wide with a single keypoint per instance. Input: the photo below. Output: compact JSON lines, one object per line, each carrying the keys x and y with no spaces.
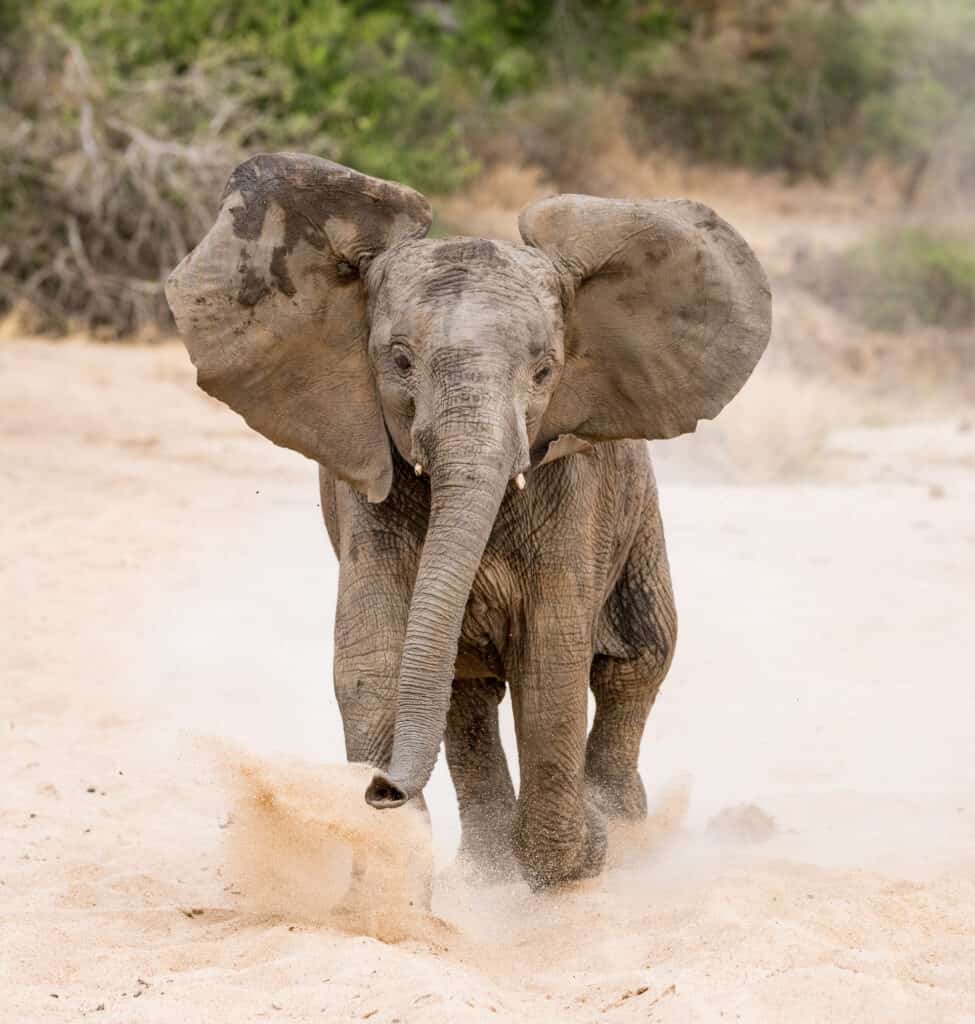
{"x":479,"y":411}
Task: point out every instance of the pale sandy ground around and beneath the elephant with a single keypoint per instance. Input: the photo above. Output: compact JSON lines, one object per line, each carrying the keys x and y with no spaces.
{"x":167,"y":588}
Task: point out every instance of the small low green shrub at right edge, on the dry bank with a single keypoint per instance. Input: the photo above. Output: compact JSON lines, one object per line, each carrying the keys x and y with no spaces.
{"x":904,"y":279}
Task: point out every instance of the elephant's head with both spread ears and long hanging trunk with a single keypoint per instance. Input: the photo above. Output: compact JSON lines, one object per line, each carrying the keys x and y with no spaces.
{"x":317,"y":310}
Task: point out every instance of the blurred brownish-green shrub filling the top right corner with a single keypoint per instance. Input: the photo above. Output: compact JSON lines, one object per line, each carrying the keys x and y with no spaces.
{"x":810,"y":88}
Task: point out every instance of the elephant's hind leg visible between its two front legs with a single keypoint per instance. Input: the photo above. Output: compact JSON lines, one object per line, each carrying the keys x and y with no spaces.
{"x":480,"y":771}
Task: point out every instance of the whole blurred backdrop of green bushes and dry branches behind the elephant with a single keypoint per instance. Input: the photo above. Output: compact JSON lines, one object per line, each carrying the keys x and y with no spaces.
{"x":121,"y":119}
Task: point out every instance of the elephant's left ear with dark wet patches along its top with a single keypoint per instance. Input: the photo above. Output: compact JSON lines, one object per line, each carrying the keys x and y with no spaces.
{"x":273,"y":307}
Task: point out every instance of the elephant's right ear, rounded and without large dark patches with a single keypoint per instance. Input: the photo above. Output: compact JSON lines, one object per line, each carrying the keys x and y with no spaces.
{"x":670,"y":313}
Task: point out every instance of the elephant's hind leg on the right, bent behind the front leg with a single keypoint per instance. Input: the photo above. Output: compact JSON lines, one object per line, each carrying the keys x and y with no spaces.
{"x":637,"y":639}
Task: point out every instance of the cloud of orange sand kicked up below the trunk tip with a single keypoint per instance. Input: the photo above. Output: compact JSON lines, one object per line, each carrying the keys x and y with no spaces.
{"x":303,"y":844}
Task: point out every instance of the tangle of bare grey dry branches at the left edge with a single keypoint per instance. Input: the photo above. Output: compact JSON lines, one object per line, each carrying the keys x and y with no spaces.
{"x":95,"y":211}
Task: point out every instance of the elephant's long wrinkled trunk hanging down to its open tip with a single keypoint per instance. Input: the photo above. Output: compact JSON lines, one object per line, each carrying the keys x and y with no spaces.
{"x":468,"y":483}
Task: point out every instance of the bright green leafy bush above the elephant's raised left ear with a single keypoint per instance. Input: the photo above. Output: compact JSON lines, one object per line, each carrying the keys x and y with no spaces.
{"x":357,"y":82}
